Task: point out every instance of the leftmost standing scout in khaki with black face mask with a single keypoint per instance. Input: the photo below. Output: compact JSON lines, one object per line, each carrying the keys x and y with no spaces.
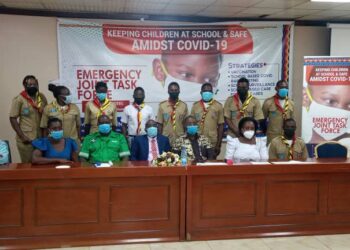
{"x":25,"y":115}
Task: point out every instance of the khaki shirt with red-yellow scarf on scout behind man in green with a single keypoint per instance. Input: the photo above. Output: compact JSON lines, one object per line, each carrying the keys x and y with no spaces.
{"x":93,"y":110}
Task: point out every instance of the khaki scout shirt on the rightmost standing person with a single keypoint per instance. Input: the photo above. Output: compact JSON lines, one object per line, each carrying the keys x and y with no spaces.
{"x":275,"y":119}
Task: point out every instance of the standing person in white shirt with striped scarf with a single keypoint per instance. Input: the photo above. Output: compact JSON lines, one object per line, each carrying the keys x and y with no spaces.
{"x":136,"y":115}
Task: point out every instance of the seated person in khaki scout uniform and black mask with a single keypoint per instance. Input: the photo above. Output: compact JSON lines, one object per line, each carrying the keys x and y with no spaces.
{"x":288,"y":146}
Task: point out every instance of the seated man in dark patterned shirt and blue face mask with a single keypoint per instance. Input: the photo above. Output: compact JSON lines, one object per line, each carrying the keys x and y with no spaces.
{"x":198,"y":147}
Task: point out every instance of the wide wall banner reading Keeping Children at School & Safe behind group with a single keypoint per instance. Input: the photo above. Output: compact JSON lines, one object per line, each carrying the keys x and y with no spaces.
{"x":151,"y":57}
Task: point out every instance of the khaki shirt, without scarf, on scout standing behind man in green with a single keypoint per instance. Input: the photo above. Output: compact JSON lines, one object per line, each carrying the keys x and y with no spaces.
{"x":91,"y":113}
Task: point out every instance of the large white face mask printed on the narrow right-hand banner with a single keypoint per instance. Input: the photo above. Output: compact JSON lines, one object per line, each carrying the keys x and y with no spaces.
{"x":329,"y":129}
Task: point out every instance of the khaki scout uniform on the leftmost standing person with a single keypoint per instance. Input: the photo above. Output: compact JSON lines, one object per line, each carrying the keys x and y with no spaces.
{"x":29,"y":114}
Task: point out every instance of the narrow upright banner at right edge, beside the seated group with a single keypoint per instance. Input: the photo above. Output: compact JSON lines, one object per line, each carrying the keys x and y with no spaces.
{"x":326,"y":100}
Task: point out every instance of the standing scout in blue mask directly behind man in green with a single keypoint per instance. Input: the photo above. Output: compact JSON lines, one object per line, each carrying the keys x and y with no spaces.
{"x":98,"y":106}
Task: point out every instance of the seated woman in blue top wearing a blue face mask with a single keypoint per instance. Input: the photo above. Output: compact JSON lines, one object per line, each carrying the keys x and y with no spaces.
{"x":54,"y":148}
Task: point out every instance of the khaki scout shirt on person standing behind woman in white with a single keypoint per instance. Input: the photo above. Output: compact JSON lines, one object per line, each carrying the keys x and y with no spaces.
{"x":232,"y":112}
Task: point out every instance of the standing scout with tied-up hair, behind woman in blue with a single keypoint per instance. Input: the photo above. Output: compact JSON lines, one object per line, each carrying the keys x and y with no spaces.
{"x":63,"y":109}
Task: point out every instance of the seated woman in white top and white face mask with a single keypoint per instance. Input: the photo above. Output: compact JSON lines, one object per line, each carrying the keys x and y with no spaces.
{"x":246,"y":147}
